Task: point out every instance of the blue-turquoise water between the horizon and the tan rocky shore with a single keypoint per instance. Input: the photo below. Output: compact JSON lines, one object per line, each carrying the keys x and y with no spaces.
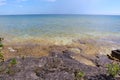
{"x":24,"y":26}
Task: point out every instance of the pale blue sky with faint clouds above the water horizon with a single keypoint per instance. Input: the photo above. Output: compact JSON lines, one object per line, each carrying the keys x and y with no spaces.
{"x":105,"y":7}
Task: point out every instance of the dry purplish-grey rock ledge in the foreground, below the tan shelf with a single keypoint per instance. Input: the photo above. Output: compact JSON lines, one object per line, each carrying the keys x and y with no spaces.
{"x":56,"y":66}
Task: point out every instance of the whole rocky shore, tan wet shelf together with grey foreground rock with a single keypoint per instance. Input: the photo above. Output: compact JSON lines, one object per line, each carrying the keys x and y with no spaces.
{"x":79,"y":61}
